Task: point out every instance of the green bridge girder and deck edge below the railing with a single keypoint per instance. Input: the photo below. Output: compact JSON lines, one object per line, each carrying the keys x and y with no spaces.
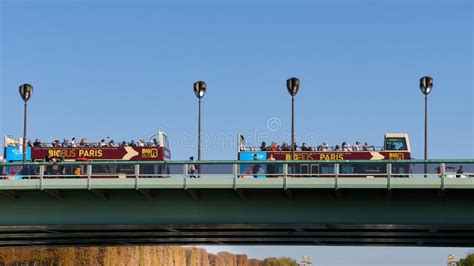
{"x":271,"y":211}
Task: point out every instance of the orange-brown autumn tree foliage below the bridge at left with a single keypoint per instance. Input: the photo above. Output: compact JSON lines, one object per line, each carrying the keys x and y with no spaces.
{"x":121,"y":256}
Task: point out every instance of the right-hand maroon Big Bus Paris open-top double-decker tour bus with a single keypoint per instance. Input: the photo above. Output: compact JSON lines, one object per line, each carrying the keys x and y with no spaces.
{"x":396,"y":147}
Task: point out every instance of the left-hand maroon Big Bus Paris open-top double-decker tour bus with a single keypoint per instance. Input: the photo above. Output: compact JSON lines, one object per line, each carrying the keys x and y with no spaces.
{"x":156,"y":150}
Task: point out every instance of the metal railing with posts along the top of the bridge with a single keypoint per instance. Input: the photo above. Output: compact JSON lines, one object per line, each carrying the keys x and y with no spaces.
{"x":241,"y":169}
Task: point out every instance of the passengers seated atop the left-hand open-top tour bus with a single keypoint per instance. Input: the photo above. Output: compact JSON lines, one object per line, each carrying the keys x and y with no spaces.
{"x":86,"y":143}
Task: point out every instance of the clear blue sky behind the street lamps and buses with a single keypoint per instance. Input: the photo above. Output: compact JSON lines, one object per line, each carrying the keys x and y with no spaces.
{"x":126,"y":70}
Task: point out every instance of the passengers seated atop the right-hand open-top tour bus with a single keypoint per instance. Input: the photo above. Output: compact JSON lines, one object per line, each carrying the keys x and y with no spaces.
{"x":322,"y":147}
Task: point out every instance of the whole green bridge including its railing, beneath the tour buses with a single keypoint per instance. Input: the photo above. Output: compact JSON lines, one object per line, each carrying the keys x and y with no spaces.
{"x":394,"y":203}
